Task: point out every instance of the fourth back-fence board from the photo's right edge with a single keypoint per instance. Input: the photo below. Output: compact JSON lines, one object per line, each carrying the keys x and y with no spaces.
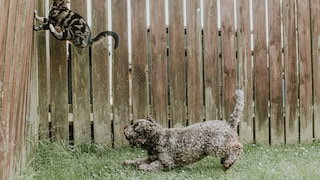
{"x":275,"y":59}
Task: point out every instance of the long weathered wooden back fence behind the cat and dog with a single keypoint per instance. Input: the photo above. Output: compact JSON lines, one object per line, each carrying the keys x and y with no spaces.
{"x":185,"y":69}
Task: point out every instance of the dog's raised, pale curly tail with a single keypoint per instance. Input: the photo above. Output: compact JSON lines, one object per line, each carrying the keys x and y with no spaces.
{"x":237,"y":112}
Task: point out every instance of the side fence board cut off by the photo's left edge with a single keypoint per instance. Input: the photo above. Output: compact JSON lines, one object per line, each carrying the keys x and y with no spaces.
{"x":3,"y":121}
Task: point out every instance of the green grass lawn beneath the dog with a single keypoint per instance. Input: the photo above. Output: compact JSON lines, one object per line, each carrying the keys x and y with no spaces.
{"x":92,"y":161}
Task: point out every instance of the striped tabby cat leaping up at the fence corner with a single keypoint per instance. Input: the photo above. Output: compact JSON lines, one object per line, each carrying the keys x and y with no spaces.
{"x":65,"y":24}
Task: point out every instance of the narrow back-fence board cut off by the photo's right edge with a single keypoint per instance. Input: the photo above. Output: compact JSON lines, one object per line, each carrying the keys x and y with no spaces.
{"x":315,"y":14}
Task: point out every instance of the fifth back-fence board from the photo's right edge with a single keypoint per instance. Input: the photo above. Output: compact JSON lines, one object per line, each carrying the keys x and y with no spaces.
{"x":261,"y":73}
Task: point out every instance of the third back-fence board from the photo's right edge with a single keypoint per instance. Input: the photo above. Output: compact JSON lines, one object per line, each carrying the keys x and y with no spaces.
{"x":291,"y":68}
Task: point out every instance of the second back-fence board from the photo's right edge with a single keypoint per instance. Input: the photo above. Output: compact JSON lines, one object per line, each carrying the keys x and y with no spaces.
{"x":305,"y":62}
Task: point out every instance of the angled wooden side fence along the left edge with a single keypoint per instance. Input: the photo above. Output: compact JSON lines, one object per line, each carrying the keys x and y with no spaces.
{"x":18,"y":85}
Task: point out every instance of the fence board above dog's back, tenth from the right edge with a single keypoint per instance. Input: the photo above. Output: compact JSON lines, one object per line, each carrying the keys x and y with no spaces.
{"x":177,"y":67}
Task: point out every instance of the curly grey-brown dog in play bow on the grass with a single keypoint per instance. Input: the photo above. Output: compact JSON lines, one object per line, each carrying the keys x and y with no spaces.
{"x":172,"y":147}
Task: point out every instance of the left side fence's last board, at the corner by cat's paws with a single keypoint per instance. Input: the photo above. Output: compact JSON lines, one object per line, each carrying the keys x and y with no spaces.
{"x":29,"y":100}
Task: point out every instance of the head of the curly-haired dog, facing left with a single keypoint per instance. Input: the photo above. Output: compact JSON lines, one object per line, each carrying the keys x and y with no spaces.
{"x":142,"y":132}
